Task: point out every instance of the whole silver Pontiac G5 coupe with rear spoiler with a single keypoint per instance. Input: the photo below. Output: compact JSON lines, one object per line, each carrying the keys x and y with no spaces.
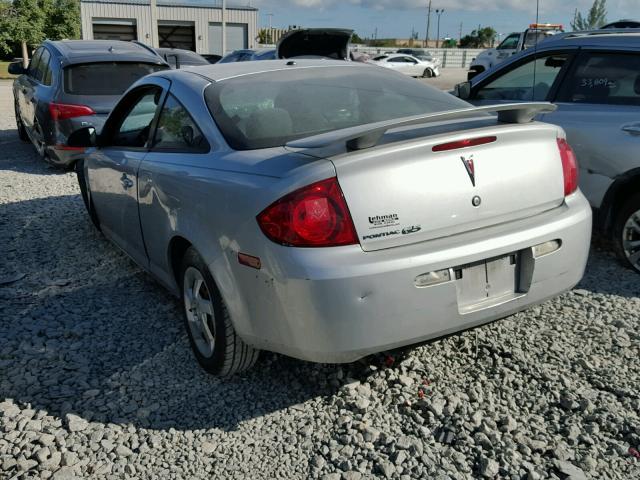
{"x":329,"y":210}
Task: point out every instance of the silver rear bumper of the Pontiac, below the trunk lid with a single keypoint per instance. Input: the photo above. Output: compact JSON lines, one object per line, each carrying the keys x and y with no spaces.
{"x":340,"y":304}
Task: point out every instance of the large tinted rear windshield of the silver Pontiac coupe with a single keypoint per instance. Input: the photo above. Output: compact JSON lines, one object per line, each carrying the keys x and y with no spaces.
{"x":272,"y":108}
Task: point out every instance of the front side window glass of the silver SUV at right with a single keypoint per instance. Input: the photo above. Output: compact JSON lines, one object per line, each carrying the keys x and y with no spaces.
{"x":531,"y":81}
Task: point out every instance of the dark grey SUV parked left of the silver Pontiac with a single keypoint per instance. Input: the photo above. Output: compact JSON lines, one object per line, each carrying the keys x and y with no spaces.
{"x":71,"y":84}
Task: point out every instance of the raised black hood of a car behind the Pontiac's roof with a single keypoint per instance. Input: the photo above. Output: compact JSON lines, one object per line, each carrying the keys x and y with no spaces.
{"x":316,"y":42}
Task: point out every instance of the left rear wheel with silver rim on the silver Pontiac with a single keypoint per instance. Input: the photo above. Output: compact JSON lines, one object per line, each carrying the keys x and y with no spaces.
{"x":214,"y":341}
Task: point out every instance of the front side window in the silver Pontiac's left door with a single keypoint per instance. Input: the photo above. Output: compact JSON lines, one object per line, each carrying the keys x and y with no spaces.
{"x":135,"y":126}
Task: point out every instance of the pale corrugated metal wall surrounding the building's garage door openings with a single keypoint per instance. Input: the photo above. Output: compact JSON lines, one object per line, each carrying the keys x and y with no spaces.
{"x":200,"y":16}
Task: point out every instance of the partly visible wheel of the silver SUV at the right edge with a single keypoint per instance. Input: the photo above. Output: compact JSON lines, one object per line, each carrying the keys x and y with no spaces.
{"x":626,"y":233}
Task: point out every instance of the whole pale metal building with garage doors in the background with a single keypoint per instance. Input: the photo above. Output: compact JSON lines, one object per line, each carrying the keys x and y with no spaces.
{"x":174,"y":24}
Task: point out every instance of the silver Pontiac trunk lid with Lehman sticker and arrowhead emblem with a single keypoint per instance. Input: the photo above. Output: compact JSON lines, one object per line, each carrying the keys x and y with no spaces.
{"x":403,"y":193}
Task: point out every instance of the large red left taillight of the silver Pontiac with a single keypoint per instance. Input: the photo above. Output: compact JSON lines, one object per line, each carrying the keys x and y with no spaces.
{"x":312,"y":216}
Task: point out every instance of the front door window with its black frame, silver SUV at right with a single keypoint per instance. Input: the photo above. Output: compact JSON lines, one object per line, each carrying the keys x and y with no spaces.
{"x":534,"y":78}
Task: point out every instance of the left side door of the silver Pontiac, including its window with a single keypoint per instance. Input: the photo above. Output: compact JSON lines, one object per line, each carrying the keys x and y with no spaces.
{"x":113,"y":167}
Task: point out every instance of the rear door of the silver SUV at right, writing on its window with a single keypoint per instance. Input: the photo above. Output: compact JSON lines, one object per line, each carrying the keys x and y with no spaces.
{"x":599,"y":108}
